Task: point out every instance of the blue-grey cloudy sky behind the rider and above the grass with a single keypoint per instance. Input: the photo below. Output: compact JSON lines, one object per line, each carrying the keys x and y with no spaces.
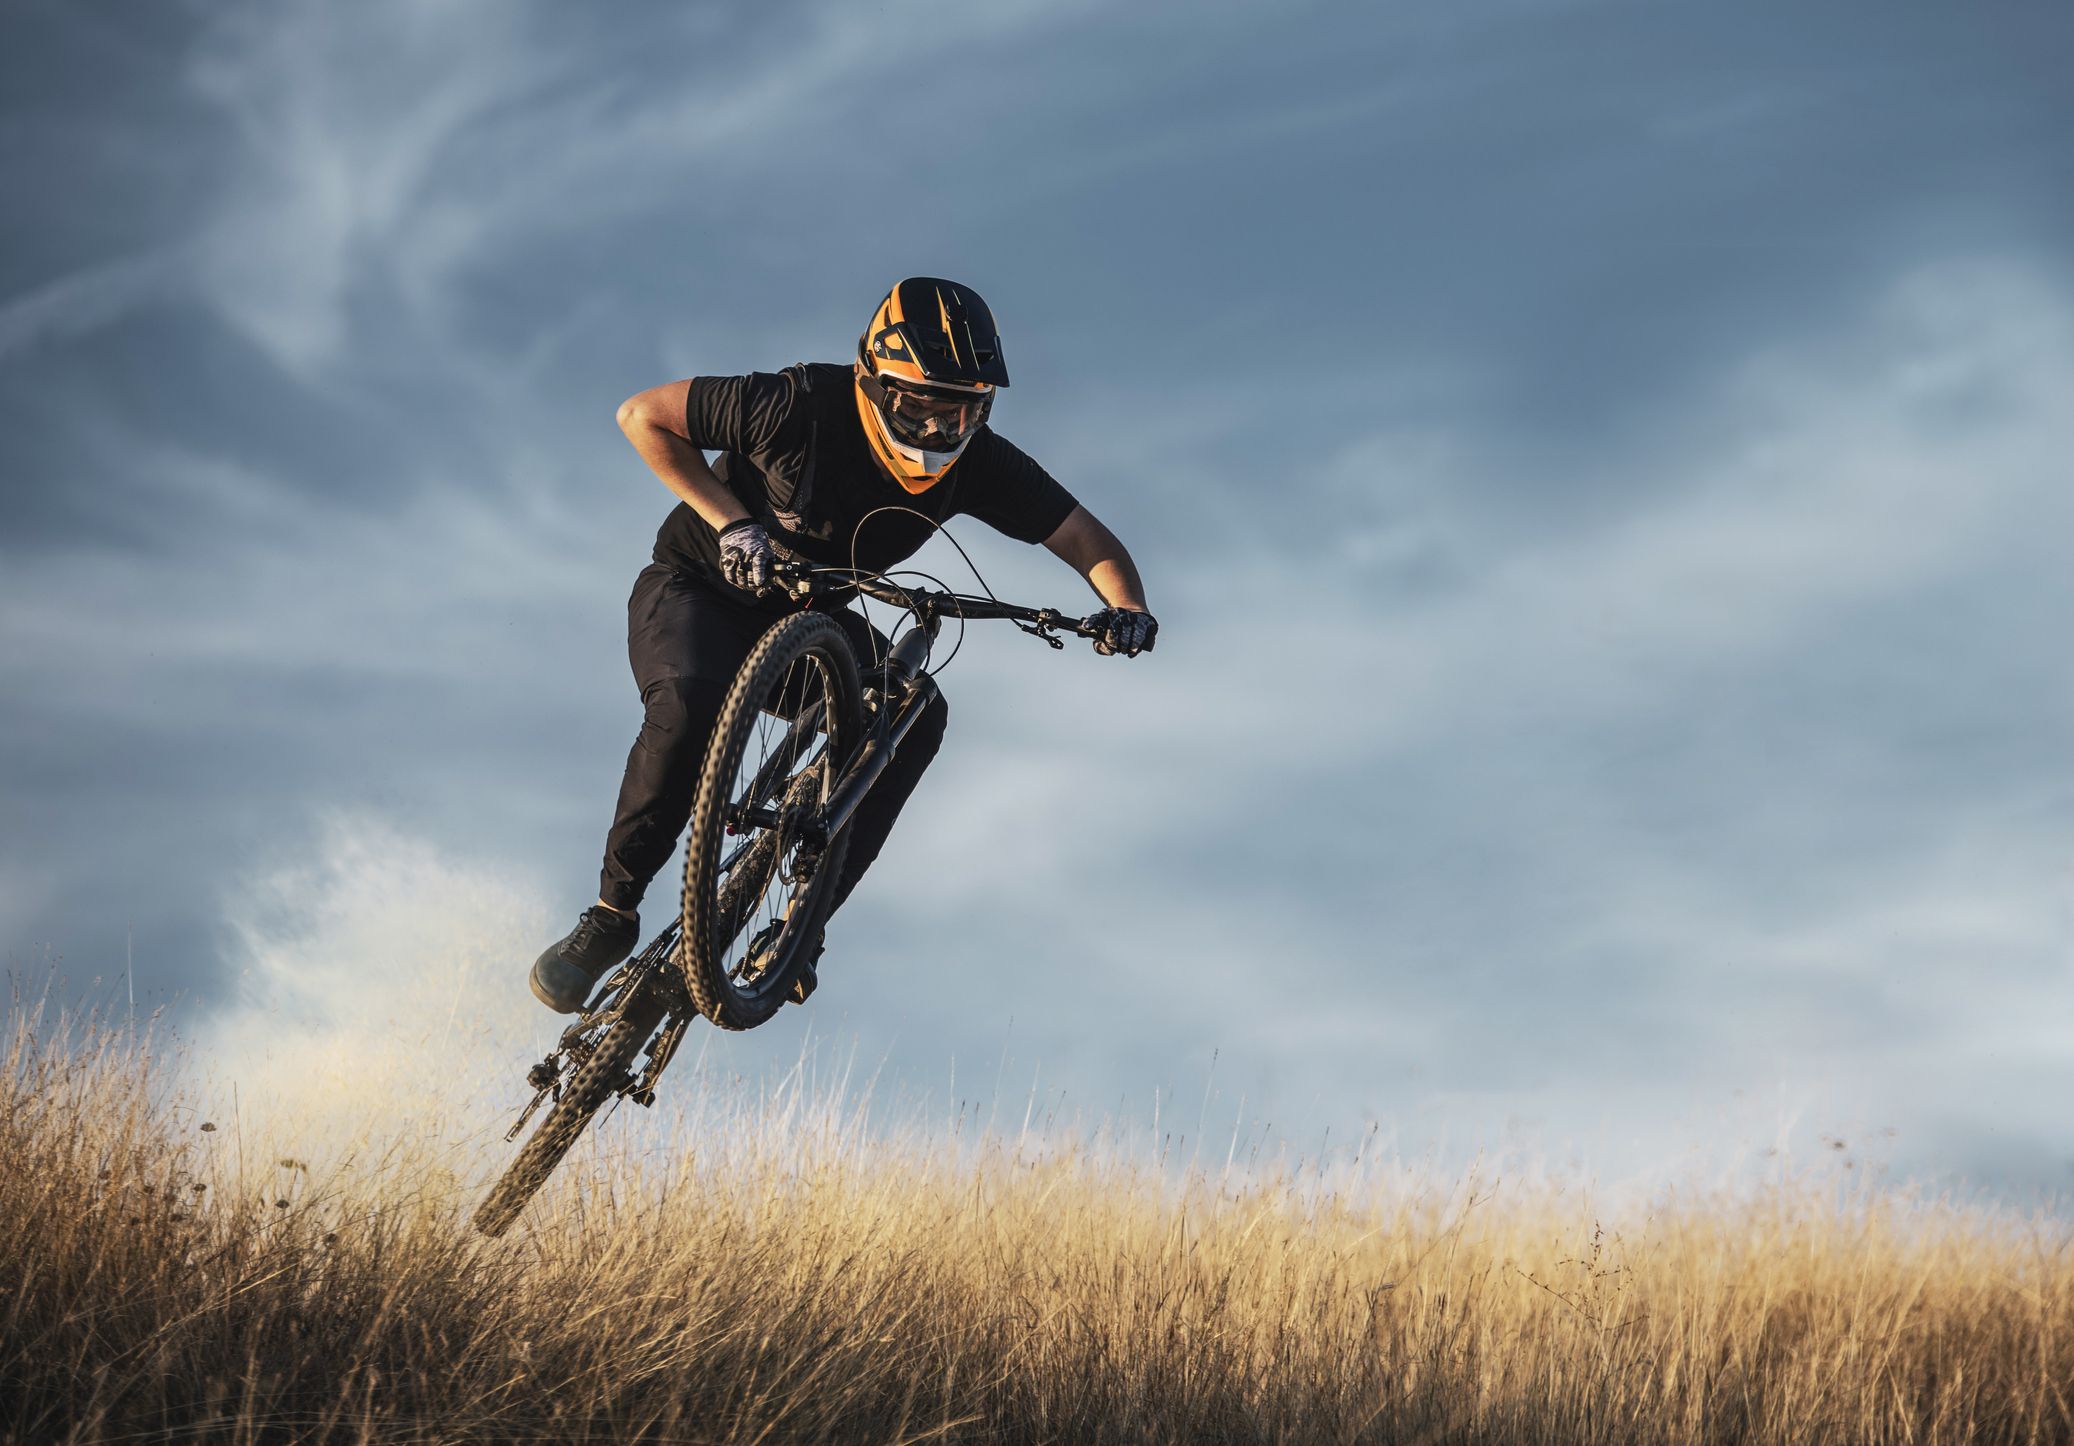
{"x":1602,"y":472}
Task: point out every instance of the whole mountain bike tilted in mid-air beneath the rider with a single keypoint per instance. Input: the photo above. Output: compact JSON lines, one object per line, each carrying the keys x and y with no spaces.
{"x":802,"y":740}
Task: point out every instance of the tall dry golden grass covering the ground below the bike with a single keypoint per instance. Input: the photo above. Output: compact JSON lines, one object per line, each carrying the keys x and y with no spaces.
{"x":816,"y":1283}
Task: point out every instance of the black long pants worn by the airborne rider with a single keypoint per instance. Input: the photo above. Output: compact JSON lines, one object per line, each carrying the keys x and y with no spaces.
{"x":685,"y":642}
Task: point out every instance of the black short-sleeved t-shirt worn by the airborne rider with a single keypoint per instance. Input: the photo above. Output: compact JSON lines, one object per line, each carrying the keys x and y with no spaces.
{"x":793,"y":451}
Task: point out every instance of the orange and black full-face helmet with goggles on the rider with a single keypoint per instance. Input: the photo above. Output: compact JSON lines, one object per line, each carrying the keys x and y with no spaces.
{"x":926,"y":377}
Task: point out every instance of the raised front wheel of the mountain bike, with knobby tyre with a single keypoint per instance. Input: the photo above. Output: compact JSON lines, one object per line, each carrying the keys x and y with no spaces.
{"x":756,"y":881}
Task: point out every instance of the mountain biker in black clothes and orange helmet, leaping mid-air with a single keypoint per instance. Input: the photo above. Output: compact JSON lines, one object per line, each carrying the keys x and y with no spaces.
{"x":841,"y":468}
